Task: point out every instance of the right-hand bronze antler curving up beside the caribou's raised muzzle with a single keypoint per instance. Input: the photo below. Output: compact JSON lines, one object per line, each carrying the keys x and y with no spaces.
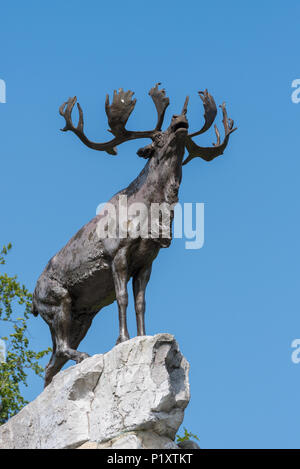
{"x":209,"y":153}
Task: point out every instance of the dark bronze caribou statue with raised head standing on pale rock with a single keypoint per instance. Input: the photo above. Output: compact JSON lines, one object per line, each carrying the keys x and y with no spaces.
{"x":89,"y":272}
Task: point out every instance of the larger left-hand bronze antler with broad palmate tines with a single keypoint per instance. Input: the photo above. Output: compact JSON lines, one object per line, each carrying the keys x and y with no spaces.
{"x":118,"y":114}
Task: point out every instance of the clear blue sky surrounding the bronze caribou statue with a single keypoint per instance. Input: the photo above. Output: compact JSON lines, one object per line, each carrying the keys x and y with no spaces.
{"x":233,"y":305}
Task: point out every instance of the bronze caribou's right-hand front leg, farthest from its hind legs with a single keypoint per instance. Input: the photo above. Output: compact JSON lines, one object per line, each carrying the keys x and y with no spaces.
{"x":140,"y":281}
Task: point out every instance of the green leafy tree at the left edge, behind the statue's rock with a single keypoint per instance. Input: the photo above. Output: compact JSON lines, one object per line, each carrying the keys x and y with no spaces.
{"x":19,"y":356}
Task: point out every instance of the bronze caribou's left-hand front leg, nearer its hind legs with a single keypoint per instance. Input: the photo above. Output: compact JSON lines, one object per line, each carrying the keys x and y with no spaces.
{"x":120,"y":276}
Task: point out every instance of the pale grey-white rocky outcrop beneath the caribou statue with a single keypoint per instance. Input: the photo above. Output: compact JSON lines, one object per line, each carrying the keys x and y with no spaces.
{"x":134,"y":396}
